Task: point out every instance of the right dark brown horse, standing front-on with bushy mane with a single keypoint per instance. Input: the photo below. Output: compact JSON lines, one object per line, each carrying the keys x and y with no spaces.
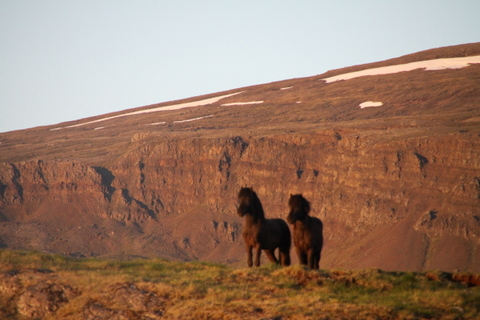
{"x":307,"y":231}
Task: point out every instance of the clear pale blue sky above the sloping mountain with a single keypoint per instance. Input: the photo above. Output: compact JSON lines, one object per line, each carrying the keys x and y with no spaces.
{"x":65,"y":60}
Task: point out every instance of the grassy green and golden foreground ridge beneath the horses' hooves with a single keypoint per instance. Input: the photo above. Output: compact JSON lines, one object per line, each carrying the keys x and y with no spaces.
{"x":199,"y":290}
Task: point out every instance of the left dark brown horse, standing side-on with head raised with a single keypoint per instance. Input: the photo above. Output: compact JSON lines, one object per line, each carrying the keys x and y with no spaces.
{"x":261,"y":233}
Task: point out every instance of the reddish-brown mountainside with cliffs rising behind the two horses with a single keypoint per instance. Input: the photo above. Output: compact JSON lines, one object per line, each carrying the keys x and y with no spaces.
{"x":397,"y":186}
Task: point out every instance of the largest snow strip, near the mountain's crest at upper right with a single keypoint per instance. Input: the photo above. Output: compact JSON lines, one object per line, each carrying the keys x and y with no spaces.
{"x":436,"y":64}
